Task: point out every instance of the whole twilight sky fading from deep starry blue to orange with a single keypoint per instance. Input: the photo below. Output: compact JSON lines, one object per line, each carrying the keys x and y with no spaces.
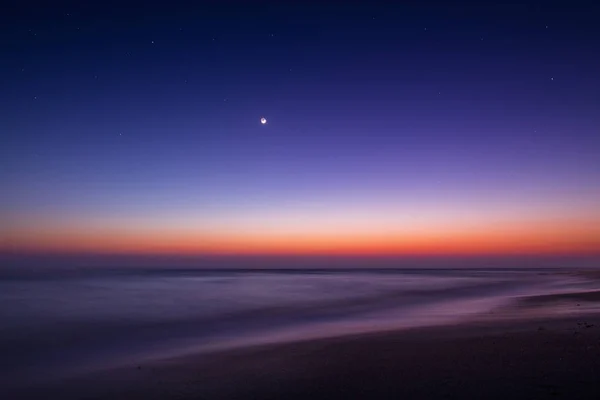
{"x":419,"y":128}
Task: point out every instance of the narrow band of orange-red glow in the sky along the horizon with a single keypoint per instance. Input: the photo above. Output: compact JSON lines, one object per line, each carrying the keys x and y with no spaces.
{"x":508,"y":240}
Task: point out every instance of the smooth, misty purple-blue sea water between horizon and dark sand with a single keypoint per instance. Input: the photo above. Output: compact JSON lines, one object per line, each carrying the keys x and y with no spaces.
{"x":53,"y":325}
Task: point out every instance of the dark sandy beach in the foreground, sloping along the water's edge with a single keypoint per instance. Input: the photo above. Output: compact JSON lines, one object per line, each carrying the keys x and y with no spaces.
{"x":545,"y":359}
